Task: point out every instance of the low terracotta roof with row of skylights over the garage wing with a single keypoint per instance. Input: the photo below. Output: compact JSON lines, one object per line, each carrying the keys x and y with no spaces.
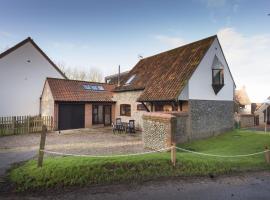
{"x":73,"y":90}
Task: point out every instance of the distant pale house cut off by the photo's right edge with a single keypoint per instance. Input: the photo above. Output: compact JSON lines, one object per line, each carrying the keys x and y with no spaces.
{"x":260,"y":114}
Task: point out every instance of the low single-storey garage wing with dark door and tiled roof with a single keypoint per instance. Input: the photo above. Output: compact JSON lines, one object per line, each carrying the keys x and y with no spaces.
{"x":77,"y":104}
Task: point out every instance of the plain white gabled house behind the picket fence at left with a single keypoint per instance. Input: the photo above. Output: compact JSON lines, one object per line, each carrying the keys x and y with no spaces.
{"x":23,"y":70}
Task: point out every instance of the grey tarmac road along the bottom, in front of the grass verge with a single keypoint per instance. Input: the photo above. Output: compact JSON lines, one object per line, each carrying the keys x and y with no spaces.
{"x":248,"y":186}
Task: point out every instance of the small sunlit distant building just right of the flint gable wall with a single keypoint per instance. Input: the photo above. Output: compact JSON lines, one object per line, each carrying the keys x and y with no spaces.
{"x":242,"y":101}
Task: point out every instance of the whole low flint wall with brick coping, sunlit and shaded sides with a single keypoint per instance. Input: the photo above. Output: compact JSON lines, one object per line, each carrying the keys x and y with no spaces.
{"x":161,"y":129}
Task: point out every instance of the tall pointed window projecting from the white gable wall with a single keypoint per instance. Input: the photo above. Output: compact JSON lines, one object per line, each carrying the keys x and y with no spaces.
{"x":217,"y":75}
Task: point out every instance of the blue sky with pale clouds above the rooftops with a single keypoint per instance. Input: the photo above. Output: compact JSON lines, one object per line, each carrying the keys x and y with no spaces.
{"x":103,"y":34}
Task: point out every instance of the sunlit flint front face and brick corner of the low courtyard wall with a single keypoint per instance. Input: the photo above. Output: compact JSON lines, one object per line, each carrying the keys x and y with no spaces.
{"x":158,"y":129}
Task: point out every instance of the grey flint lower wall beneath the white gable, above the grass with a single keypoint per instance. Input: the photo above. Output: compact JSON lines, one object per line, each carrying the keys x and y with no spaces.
{"x":208,"y":118}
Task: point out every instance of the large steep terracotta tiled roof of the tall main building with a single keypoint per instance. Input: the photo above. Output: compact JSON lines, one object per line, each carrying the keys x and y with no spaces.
{"x":163,"y":76}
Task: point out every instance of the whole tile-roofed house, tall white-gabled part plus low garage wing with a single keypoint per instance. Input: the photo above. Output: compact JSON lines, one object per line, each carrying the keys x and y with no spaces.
{"x":193,"y":79}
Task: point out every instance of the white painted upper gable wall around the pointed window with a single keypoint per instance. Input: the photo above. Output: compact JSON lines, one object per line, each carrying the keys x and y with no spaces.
{"x":200,"y":84}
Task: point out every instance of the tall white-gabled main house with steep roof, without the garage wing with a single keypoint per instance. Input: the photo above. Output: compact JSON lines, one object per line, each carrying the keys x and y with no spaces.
{"x":194,"y":78}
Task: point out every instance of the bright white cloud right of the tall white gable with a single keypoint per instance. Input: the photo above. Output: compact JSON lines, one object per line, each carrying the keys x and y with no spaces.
{"x":248,"y":58}
